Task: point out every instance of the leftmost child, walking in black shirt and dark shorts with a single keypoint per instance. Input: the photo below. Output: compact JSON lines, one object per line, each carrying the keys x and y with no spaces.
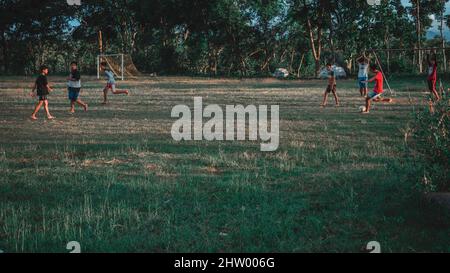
{"x":42,"y":89}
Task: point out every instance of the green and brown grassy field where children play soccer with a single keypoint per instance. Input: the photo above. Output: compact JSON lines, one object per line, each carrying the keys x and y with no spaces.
{"x":114,"y":180}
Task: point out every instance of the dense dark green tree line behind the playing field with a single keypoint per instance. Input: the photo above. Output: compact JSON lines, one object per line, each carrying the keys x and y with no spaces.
{"x":215,"y":37}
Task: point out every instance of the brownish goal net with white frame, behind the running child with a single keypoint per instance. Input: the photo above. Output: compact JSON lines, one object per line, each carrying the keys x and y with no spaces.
{"x":120,"y":64}
